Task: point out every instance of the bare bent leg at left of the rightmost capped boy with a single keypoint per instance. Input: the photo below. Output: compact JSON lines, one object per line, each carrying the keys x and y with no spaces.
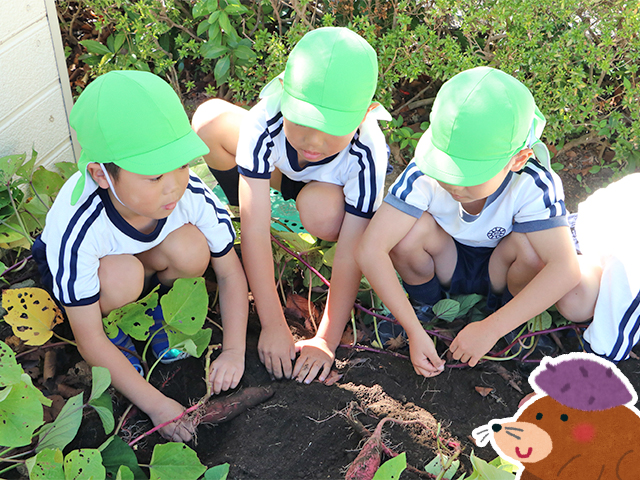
{"x":427,"y":250}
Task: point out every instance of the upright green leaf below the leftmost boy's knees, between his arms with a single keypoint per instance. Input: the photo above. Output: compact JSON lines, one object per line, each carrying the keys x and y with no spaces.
{"x":185,"y":306}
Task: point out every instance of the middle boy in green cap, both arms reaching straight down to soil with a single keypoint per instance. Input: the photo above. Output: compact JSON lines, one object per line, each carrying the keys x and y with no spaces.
{"x":314,"y":136}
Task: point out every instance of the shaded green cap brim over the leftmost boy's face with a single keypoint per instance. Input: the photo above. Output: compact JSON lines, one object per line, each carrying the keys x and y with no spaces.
{"x":166,"y":158}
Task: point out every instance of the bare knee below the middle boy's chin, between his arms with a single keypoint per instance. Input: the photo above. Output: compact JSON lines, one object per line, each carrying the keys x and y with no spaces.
{"x":321,"y":207}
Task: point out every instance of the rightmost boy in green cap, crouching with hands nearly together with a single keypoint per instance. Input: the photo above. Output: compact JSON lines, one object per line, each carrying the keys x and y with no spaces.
{"x":478,"y":210}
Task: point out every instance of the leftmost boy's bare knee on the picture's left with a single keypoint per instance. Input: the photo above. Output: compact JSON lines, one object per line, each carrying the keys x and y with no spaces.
{"x":121,"y":281}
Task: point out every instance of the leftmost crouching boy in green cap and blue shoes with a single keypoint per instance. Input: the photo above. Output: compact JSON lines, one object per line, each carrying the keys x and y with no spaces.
{"x":132,"y":217}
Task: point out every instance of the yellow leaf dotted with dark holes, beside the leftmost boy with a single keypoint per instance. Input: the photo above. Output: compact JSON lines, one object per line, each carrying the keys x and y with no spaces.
{"x":31,"y":313}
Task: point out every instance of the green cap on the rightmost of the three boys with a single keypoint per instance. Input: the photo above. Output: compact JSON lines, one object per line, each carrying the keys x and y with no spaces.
{"x":480,"y":119}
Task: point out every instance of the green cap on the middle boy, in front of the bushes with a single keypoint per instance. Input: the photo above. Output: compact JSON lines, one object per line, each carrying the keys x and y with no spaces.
{"x":329,"y":80}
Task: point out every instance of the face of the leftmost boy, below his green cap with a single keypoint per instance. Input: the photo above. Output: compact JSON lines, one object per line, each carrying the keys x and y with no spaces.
{"x":150,"y":196}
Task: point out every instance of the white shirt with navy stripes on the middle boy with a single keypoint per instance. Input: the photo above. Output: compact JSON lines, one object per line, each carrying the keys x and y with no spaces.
{"x":360,"y":168}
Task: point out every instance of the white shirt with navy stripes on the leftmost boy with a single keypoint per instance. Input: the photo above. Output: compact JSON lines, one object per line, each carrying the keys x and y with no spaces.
{"x":77,"y":236}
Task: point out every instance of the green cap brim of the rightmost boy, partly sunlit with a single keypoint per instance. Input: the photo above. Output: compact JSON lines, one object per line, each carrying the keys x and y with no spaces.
{"x":454,"y":171}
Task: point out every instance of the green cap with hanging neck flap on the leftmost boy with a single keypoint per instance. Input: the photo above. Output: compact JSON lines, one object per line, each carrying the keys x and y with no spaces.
{"x":135,"y":120}
